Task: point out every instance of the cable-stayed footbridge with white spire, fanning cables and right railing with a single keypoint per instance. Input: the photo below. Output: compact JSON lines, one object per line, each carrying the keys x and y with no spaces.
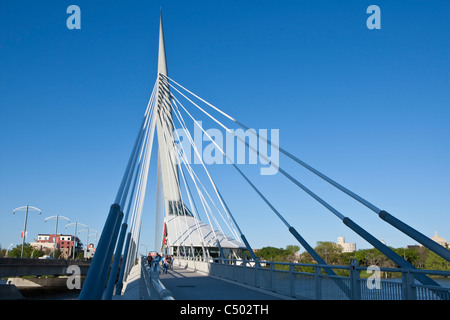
{"x":196,"y":226}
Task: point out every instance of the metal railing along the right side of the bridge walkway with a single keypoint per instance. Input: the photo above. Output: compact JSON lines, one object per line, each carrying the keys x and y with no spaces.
{"x":307,"y":281}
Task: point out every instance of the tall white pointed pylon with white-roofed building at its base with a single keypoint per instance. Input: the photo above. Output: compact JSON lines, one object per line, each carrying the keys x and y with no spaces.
{"x":178,"y":229}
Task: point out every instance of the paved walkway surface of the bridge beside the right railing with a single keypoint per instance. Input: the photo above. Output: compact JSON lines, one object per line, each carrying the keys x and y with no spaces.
{"x":187,"y":284}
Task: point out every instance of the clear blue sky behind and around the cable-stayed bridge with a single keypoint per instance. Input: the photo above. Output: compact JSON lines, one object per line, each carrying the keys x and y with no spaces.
{"x":369,"y":108}
